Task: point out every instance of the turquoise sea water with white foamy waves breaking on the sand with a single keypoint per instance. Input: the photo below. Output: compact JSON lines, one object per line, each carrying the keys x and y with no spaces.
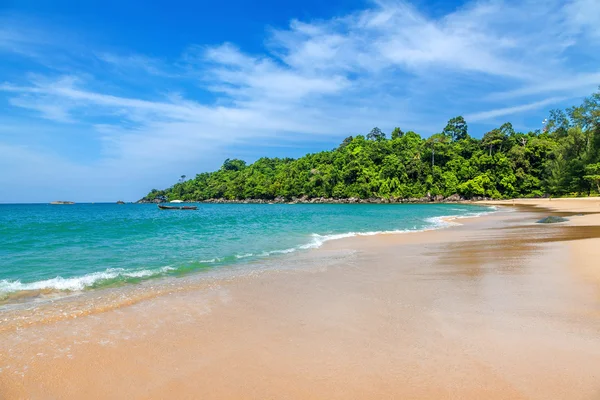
{"x":76,"y":247}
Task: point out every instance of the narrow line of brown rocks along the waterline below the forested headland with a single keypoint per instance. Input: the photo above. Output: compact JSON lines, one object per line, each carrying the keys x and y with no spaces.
{"x":327,"y":200}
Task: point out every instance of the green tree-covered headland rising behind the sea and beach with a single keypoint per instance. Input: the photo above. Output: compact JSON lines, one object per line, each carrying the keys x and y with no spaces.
{"x":562,"y":158}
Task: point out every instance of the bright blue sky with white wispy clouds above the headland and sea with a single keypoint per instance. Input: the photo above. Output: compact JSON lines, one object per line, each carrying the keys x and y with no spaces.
{"x":105,"y":100}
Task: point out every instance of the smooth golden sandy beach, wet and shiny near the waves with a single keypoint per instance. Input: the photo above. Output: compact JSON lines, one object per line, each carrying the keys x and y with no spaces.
{"x":496,"y":308}
